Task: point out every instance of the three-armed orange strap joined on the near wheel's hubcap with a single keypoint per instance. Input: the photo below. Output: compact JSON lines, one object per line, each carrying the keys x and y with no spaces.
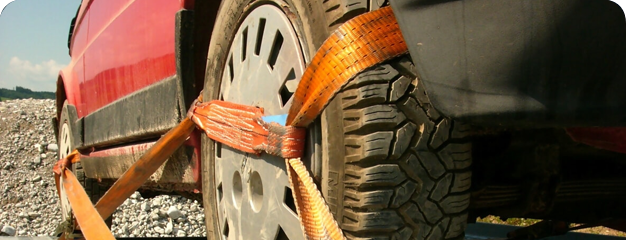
{"x":358,"y":44}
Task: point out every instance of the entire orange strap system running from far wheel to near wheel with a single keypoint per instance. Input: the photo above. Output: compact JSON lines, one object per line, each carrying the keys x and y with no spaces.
{"x":358,"y":44}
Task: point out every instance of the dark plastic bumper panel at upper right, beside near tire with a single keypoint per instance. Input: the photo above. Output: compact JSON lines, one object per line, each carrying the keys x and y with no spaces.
{"x":523,"y":64}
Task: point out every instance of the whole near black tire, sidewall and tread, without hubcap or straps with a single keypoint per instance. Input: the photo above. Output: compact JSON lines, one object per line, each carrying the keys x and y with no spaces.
{"x":374,"y":194}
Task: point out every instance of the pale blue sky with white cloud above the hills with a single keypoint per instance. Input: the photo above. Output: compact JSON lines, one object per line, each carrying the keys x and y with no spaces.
{"x":33,"y":42}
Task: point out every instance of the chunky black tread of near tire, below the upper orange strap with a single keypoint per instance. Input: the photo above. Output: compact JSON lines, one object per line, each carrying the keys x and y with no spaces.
{"x":400,"y":170}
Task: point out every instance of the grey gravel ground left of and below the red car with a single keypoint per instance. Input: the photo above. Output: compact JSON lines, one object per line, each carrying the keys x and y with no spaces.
{"x":28,"y":199}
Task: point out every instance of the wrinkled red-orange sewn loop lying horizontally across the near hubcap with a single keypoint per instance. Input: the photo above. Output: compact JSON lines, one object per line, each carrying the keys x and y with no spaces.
{"x":241,"y":127}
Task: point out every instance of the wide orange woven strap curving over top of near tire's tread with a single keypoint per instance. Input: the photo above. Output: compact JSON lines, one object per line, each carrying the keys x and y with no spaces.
{"x":358,"y":44}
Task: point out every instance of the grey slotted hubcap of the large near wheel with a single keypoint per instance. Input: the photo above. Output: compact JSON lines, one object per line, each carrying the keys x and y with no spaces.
{"x":263,"y":67}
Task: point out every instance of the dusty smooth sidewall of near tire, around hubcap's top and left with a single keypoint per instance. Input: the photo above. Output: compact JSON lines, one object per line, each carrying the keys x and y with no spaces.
{"x":307,"y":19}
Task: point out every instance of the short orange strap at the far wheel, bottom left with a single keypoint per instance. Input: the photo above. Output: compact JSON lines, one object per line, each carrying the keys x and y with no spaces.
{"x":85,"y":213}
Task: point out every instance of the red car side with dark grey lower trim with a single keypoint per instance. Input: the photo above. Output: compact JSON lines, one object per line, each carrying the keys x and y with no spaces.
{"x":124,"y":70}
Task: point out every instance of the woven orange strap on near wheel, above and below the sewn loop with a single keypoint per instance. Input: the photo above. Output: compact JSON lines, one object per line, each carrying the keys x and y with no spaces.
{"x":358,"y":44}
